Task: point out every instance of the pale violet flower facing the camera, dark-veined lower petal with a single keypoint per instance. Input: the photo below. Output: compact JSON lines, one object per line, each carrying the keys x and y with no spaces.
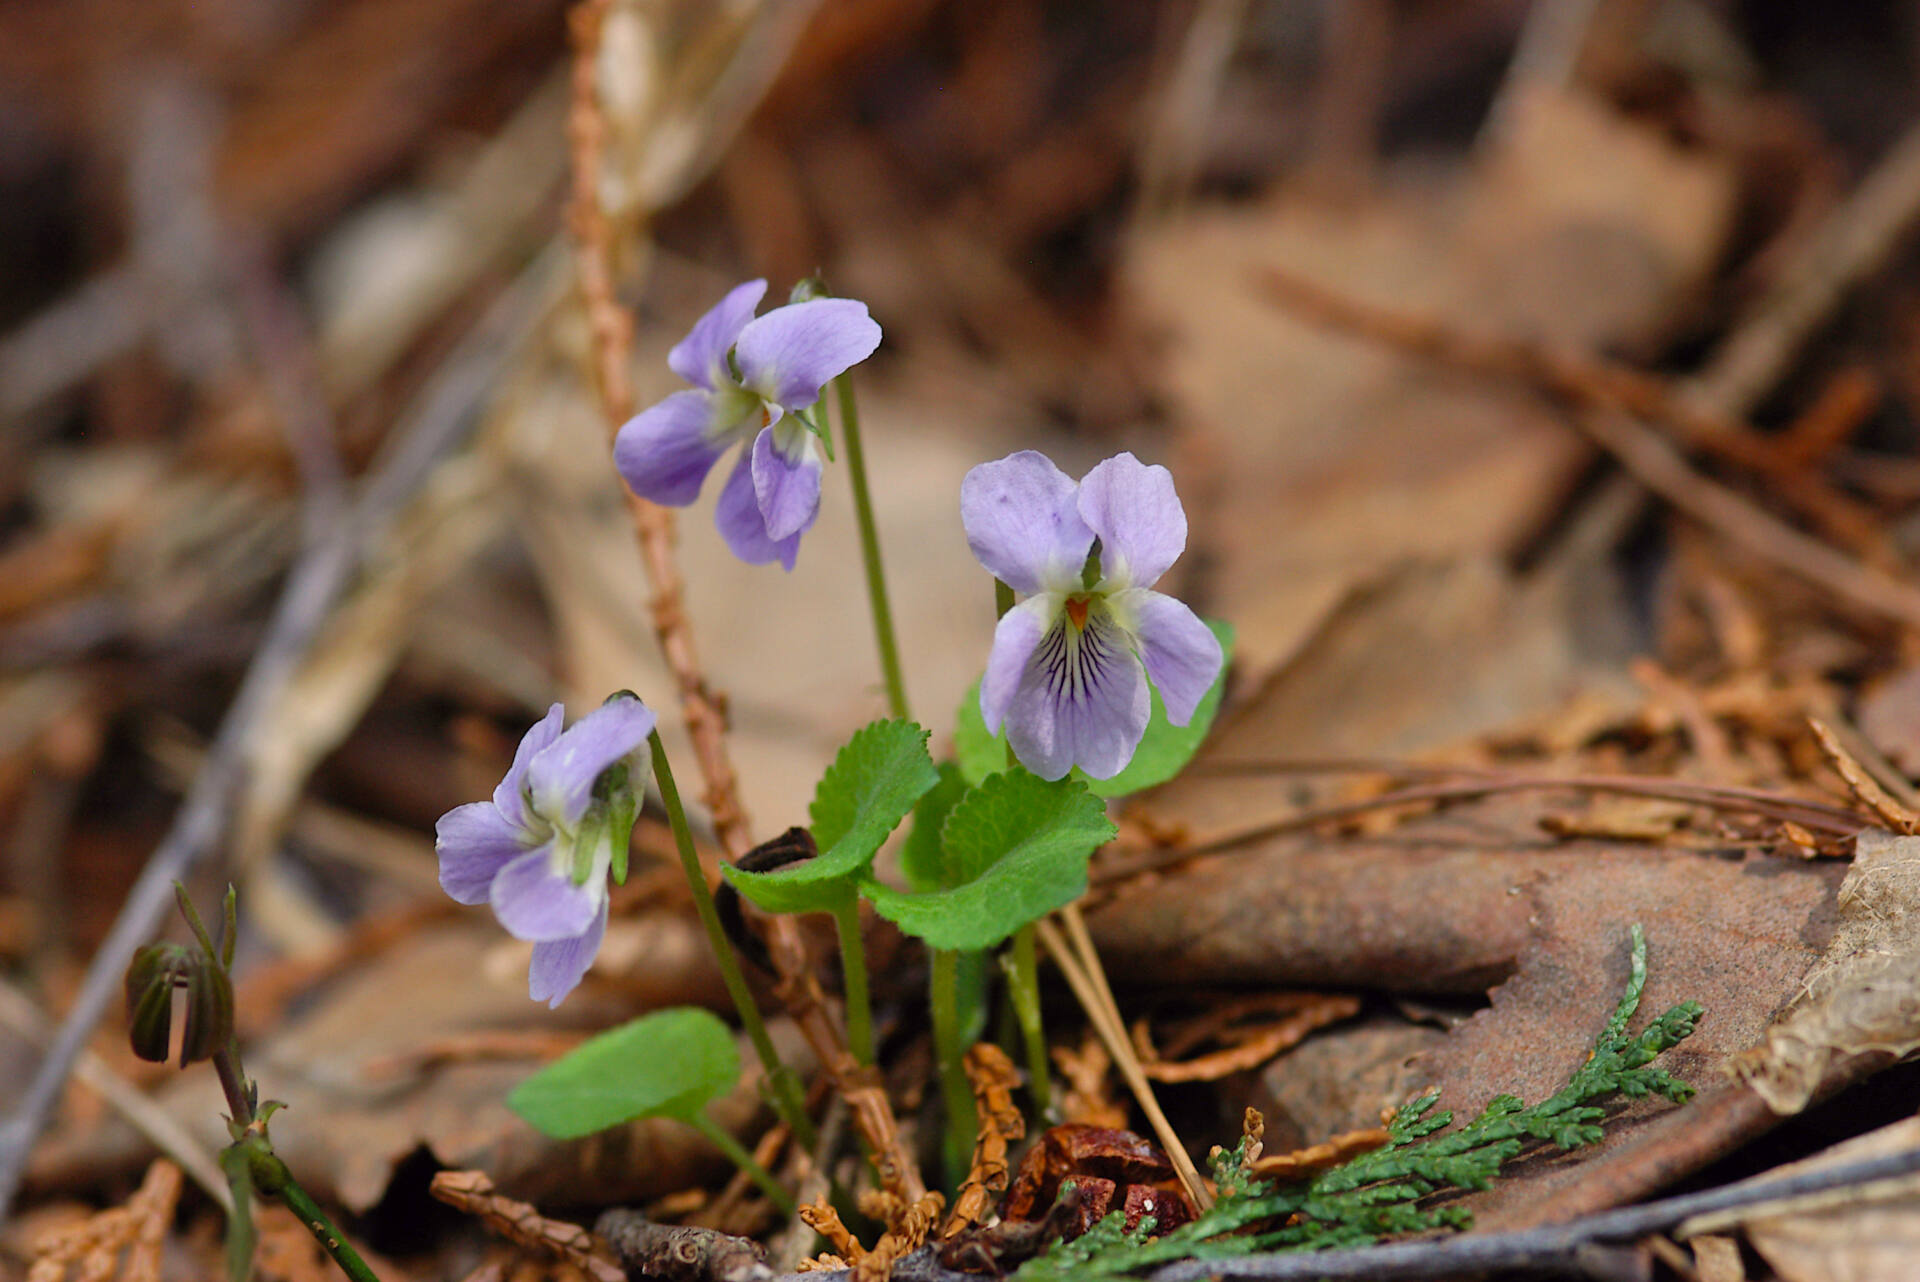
{"x":1070,"y":665}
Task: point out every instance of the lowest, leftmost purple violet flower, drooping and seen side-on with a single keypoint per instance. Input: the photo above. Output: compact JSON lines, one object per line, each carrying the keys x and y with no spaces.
{"x":540,"y":851}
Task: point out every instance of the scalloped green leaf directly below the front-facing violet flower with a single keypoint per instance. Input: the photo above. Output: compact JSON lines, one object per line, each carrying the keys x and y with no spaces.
{"x":1013,"y":851}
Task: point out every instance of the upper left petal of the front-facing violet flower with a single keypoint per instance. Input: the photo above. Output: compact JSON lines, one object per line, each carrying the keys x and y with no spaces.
{"x":1022,"y":523}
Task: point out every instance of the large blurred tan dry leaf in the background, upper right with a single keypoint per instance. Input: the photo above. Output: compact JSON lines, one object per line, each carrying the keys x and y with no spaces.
{"x":1333,"y":460}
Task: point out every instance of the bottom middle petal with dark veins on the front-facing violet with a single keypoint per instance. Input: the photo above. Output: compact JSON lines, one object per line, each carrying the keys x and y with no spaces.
{"x":1080,"y":703}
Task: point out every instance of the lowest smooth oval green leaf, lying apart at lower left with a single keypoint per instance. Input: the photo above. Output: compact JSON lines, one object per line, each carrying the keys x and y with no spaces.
{"x":667,"y":1064}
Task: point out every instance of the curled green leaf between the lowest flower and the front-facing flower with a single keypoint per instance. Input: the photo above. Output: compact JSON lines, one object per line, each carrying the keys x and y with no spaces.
{"x":863,"y":797}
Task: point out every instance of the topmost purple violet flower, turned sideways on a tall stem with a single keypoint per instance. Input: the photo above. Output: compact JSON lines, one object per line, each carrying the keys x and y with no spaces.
{"x":750,"y":377}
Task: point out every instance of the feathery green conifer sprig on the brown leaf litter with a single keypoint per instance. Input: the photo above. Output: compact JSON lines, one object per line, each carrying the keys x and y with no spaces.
{"x":1378,"y":1195}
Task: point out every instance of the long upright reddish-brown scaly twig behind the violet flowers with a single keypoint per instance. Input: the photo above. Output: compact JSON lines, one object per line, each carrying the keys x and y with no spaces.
{"x":706,"y":713}
